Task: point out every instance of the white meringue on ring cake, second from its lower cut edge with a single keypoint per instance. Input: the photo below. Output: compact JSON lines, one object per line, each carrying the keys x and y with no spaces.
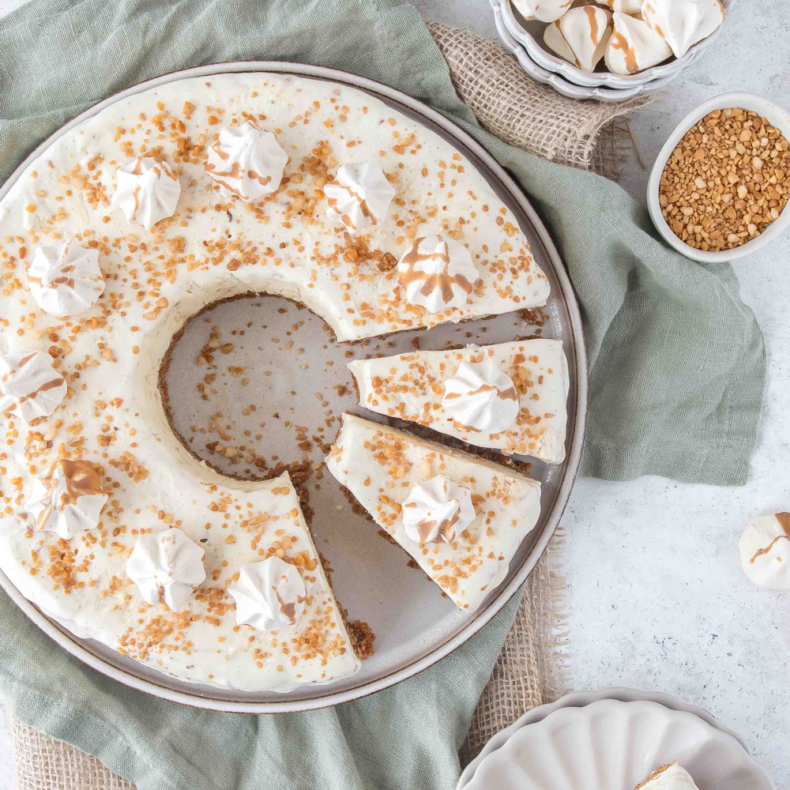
{"x":166,"y":567}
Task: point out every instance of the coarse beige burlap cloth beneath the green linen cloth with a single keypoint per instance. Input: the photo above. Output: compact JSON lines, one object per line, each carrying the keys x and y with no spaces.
{"x":534,"y":664}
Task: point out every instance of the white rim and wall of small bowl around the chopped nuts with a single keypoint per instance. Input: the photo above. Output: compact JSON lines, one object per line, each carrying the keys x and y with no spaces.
{"x":777,"y":117}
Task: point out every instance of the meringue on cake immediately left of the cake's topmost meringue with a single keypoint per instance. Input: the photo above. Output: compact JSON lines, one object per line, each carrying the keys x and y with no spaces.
{"x":147,"y":191}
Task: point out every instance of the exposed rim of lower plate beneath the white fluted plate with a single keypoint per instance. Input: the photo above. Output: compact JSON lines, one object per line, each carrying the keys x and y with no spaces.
{"x":583,"y":699}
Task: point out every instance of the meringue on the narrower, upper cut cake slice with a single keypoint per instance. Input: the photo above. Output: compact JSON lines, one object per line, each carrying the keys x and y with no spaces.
{"x":480,"y":396}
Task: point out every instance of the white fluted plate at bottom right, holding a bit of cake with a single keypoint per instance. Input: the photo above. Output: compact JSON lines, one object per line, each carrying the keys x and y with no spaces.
{"x":615,"y":745}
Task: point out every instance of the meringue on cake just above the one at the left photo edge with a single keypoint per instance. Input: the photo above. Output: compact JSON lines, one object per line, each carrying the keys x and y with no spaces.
{"x":65,"y":280}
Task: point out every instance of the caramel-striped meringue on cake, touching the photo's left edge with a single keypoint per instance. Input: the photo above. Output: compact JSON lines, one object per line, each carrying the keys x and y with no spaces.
{"x":29,"y":386}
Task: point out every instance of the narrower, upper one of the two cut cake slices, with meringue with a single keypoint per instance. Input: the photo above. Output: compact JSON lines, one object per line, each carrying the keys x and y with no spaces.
{"x":509,"y":396}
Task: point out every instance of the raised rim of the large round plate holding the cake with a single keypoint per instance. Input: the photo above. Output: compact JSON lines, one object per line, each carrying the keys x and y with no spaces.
{"x":66,"y":640}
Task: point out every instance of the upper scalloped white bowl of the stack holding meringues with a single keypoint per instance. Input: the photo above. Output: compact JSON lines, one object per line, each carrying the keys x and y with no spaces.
{"x":530,"y":36}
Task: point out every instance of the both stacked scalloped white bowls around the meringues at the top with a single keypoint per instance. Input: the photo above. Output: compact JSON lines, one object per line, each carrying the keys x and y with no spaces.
{"x":525,"y":40}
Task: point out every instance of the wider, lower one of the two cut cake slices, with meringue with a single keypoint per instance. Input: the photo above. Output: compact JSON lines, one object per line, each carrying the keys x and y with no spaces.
{"x":461,"y":518}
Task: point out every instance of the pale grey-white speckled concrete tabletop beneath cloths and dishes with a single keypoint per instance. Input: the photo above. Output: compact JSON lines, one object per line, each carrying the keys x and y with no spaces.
{"x":657,"y":597}
